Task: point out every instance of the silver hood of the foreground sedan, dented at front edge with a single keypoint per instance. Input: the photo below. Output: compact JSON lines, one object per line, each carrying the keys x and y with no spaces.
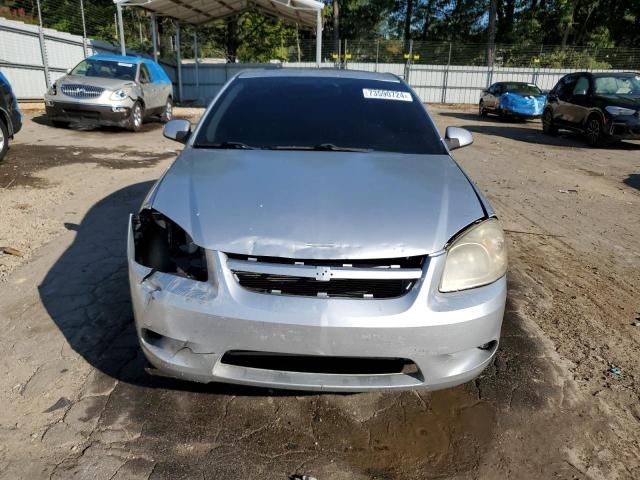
{"x":322,"y":205}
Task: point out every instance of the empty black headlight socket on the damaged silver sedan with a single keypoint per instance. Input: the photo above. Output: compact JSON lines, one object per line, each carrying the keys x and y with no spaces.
{"x":162,"y":245}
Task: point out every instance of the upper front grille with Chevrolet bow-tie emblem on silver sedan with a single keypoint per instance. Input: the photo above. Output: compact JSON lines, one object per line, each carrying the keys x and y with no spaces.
{"x":378,"y":279}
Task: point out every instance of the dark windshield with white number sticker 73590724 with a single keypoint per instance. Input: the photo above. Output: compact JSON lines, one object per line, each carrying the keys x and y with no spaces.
{"x":304,"y":112}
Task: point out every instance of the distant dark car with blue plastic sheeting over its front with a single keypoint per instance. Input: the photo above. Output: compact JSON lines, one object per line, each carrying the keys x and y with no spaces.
{"x":513,"y":99}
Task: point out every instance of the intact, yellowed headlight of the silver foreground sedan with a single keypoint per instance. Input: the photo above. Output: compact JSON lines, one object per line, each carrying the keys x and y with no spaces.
{"x":477,"y":257}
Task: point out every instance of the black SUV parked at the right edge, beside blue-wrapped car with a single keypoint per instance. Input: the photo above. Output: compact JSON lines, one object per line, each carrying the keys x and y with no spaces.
{"x":602,"y":106}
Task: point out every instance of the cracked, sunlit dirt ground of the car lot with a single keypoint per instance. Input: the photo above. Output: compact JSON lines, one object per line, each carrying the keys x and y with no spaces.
{"x":560,"y":402}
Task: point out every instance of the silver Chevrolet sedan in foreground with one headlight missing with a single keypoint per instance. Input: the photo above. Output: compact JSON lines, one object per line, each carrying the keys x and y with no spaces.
{"x":315,"y":234}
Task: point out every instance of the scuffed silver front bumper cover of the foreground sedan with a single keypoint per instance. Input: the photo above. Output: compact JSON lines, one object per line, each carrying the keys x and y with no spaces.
{"x":218,"y":330}
